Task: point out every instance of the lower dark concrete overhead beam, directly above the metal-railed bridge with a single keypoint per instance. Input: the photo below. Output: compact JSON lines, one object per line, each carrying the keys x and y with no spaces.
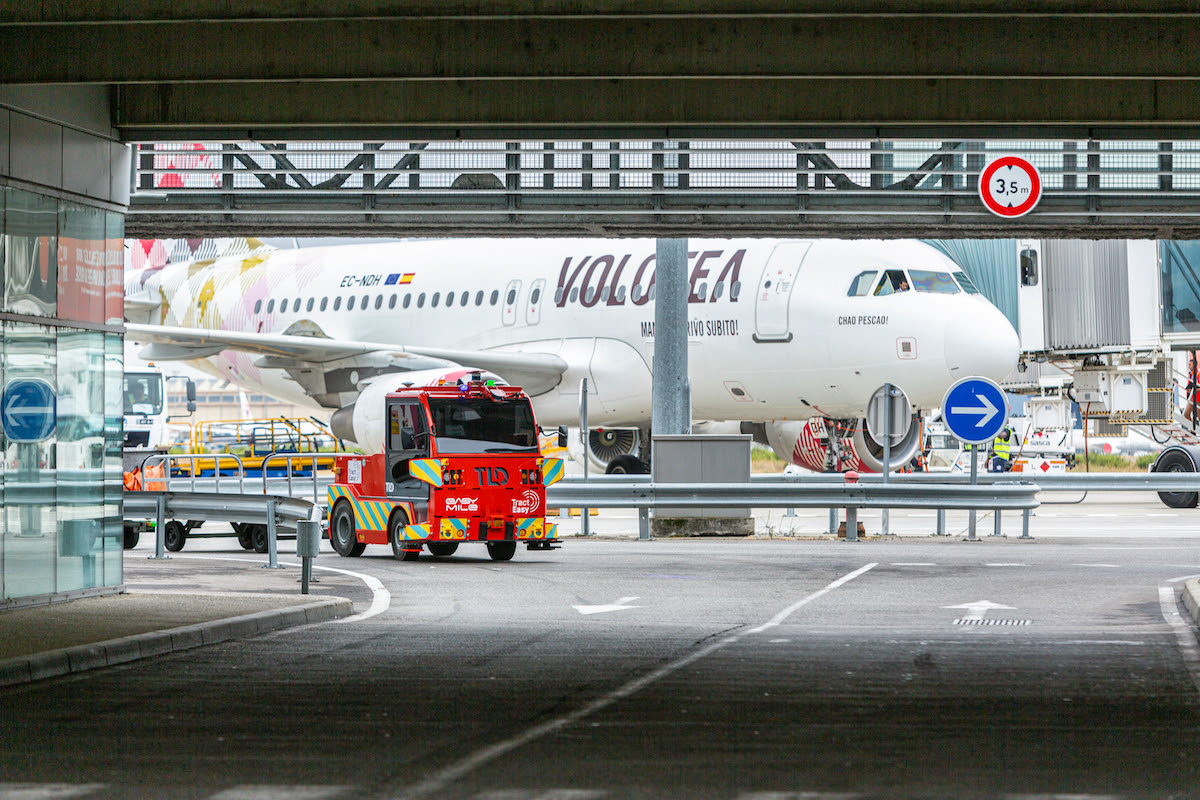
{"x":662,"y":109}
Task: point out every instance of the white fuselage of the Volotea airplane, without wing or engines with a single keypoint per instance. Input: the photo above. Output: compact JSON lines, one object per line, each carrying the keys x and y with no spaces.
{"x":775,"y":332}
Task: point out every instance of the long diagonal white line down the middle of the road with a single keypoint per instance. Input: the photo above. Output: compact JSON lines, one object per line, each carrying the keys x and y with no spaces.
{"x":440,"y":781}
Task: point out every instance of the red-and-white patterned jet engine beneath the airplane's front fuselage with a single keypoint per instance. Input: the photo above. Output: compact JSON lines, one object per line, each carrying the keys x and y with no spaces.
{"x":805,"y":443}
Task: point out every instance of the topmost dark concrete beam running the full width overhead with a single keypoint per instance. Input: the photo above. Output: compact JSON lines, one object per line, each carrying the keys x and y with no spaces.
{"x":537,"y":49}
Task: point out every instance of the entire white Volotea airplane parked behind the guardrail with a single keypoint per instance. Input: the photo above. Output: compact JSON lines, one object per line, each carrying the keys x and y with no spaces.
{"x":784,"y":335}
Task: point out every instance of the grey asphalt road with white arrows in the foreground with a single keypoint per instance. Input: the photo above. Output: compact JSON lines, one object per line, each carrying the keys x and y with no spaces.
{"x":761,"y":670}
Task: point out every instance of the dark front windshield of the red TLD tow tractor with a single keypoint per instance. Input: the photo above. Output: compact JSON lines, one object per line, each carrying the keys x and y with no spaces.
{"x":484,"y":425}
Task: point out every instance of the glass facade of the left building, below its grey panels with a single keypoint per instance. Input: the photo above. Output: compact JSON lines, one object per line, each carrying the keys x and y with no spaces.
{"x":62,"y":288}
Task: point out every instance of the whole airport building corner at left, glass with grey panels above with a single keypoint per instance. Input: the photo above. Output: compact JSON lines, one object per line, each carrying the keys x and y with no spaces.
{"x":64,"y":188}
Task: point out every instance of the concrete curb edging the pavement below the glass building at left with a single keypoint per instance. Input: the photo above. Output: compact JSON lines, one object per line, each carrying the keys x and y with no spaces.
{"x":26,"y":670}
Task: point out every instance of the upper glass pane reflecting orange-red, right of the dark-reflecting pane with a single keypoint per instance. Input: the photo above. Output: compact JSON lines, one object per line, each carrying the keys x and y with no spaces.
{"x":82,"y":258}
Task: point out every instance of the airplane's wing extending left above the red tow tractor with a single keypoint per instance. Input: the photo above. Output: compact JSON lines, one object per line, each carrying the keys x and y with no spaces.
{"x":309,"y":348}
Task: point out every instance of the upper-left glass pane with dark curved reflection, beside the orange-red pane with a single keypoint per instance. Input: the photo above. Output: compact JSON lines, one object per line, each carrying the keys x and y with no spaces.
{"x":31,"y":267}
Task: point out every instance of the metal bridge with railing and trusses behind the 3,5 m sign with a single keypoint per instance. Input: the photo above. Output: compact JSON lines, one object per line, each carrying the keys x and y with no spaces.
{"x":849,"y":189}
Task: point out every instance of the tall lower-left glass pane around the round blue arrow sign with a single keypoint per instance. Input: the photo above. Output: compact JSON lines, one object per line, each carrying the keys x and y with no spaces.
{"x":31,"y":479}
